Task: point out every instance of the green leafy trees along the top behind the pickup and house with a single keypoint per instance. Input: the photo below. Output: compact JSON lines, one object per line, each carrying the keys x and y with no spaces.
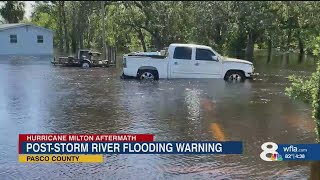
{"x":236,"y":26}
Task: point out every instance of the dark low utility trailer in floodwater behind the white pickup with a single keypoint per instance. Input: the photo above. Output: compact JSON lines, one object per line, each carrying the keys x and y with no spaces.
{"x":85,"y":58}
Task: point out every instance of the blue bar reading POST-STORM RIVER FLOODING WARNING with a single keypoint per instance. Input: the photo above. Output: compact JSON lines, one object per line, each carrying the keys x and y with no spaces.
{"x":203,"y":147}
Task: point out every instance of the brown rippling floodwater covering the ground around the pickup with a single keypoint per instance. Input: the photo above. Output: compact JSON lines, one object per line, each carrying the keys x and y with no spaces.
{"x":36,"y":97}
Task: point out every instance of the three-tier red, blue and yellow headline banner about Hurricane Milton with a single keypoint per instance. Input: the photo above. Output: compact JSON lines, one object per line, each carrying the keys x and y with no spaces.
{"x":90,"y":148}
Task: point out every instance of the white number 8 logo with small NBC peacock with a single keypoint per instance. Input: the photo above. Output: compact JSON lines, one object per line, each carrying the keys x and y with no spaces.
{"x":270,"y":148}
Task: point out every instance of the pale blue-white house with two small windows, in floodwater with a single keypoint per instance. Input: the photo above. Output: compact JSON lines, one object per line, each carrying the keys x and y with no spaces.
{"x":25,"y":39}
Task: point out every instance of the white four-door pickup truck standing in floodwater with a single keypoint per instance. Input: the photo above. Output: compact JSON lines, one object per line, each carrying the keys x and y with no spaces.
{"x":186,"y":61}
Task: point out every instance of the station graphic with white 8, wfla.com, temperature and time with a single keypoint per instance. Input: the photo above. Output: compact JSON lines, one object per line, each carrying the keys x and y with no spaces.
{"x":290,"y":152}
